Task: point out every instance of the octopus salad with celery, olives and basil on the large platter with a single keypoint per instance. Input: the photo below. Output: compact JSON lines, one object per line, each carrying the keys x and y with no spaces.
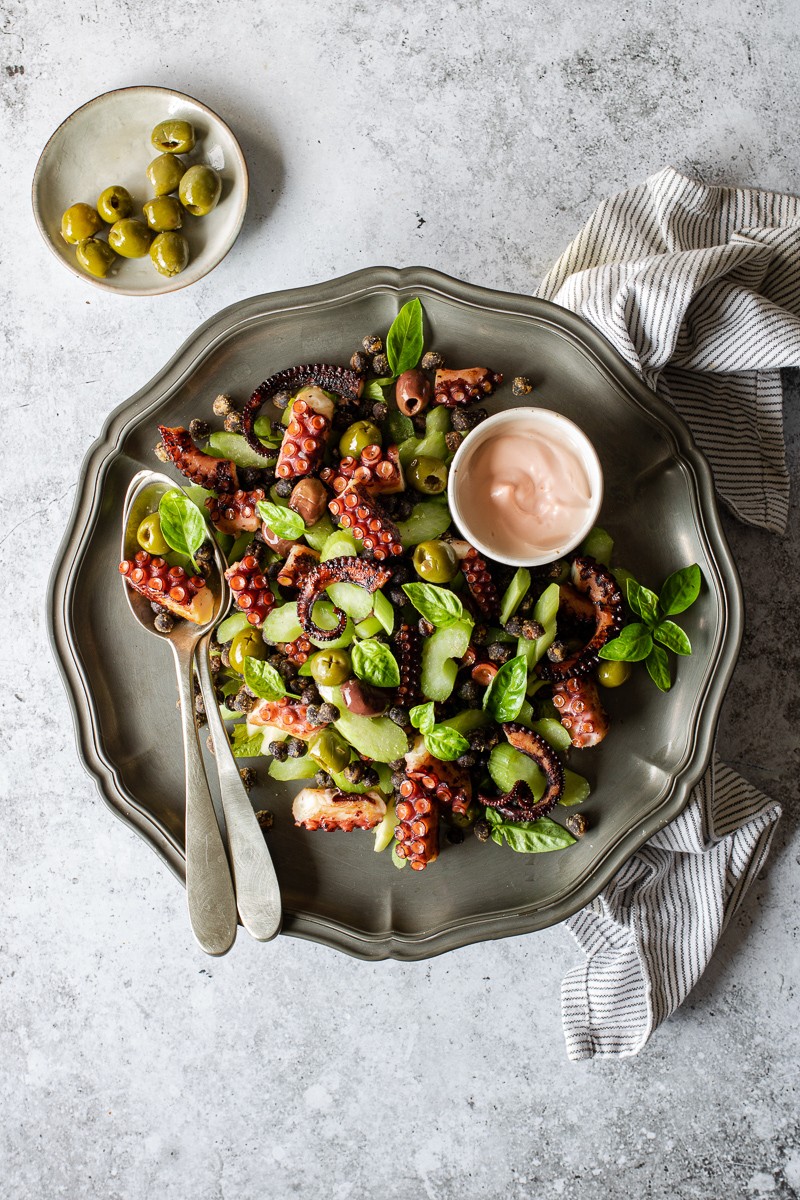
{"x":410,"y":685}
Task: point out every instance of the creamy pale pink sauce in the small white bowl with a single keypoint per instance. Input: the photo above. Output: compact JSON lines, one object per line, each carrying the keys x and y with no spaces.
{"x":528,"y":495}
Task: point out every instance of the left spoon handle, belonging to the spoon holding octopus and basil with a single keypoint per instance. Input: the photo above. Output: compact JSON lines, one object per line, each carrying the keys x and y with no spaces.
{"x":209,"y":887}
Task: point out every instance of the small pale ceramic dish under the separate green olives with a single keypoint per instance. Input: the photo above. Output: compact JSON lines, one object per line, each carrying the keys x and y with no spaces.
{"x":107,"y":142}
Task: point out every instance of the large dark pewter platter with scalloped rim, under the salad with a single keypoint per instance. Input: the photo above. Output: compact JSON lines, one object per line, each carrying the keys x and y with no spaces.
{"x":659,"y":505}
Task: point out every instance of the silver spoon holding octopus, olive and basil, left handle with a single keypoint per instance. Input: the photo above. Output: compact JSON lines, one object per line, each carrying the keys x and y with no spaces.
{"x":209,"y":886}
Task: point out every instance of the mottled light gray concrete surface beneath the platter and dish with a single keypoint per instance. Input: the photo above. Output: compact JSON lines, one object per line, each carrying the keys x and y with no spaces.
{"x":473,"y":137}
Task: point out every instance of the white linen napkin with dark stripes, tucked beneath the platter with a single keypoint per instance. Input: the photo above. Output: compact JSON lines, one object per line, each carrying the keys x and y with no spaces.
{"x":699,"y":290}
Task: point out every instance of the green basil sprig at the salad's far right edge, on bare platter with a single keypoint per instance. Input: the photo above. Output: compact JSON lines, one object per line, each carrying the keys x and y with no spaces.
{"x":645,"y":641}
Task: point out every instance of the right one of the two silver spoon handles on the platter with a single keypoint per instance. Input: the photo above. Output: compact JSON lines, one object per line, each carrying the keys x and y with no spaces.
{"x":258,"y":895}
